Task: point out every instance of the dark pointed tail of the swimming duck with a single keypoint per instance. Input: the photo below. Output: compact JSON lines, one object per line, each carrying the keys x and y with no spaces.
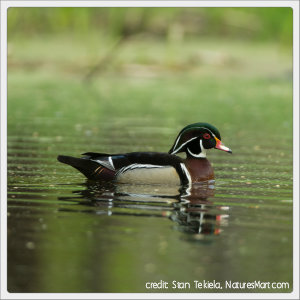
{"x":83,"y":165}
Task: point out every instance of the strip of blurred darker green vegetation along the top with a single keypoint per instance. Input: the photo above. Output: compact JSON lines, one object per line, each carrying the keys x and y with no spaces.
{"x":264,"y":24}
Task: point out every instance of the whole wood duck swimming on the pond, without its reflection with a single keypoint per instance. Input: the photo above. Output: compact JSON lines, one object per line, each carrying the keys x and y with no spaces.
{"x":156,"y":167}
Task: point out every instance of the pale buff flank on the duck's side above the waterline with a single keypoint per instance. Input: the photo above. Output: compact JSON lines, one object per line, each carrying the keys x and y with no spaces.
{"x":155,"y":175}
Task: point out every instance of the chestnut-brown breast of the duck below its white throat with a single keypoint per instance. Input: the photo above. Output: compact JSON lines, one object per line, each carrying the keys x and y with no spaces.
{"x":200,"y":169}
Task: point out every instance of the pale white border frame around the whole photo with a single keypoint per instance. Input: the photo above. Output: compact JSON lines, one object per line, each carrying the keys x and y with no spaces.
{"x":5,"y":4}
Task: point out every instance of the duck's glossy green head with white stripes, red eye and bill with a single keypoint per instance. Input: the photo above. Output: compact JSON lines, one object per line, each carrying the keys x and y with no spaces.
{"x":196,"y":138}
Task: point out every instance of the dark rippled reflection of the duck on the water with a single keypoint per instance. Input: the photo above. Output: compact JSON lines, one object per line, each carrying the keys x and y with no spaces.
{"x":189,"y":208}
